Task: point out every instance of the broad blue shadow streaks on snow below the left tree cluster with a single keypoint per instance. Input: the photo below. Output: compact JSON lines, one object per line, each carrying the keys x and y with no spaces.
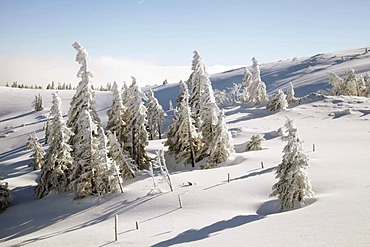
{"x":18,"y":221}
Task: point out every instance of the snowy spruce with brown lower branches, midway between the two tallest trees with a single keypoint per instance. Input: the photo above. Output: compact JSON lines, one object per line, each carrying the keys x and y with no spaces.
{"x":136,"y":136}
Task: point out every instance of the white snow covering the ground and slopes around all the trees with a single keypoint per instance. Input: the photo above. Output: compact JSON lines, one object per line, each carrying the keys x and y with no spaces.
{"x":214,"y":212}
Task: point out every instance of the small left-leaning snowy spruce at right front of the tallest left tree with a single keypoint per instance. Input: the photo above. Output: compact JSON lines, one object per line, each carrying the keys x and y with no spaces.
{"x":126,"y":165}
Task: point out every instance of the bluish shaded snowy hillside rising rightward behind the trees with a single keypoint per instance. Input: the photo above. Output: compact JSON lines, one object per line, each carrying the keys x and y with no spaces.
{"x":307,"y":74}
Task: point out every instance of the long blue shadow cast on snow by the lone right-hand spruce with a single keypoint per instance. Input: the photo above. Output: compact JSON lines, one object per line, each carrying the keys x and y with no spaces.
{"x":194,"y":235}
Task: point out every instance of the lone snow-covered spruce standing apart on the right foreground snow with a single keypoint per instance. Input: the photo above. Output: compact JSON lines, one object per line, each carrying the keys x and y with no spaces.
{"x":293,"y":185}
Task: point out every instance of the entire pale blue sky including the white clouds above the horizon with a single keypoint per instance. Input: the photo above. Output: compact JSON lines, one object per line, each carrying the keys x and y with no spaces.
{"x":153,"y":40}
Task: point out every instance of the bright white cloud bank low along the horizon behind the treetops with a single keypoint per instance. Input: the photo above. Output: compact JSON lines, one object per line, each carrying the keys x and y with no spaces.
{"x":31,"y":69}
